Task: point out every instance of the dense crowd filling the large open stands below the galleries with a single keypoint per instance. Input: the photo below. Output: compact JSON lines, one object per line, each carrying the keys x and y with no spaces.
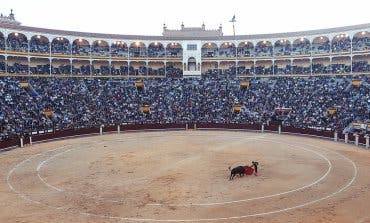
{"x":82,"y":103}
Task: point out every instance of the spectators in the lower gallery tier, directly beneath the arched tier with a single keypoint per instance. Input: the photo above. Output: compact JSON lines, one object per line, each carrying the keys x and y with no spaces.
{"x":318,"y":67}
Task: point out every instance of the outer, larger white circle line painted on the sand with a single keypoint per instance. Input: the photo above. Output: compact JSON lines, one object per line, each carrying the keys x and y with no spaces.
{"x":355,"y":173}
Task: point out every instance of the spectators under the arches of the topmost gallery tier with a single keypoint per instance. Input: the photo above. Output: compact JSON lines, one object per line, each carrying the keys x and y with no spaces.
{"x":37,"y":44}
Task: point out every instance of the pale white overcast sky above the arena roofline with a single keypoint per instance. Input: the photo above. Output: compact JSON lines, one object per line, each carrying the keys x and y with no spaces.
{"x":146,"y":17}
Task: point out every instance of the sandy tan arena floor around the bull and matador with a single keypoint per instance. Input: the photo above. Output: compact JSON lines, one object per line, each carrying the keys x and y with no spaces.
{"x":182,"y":176}
